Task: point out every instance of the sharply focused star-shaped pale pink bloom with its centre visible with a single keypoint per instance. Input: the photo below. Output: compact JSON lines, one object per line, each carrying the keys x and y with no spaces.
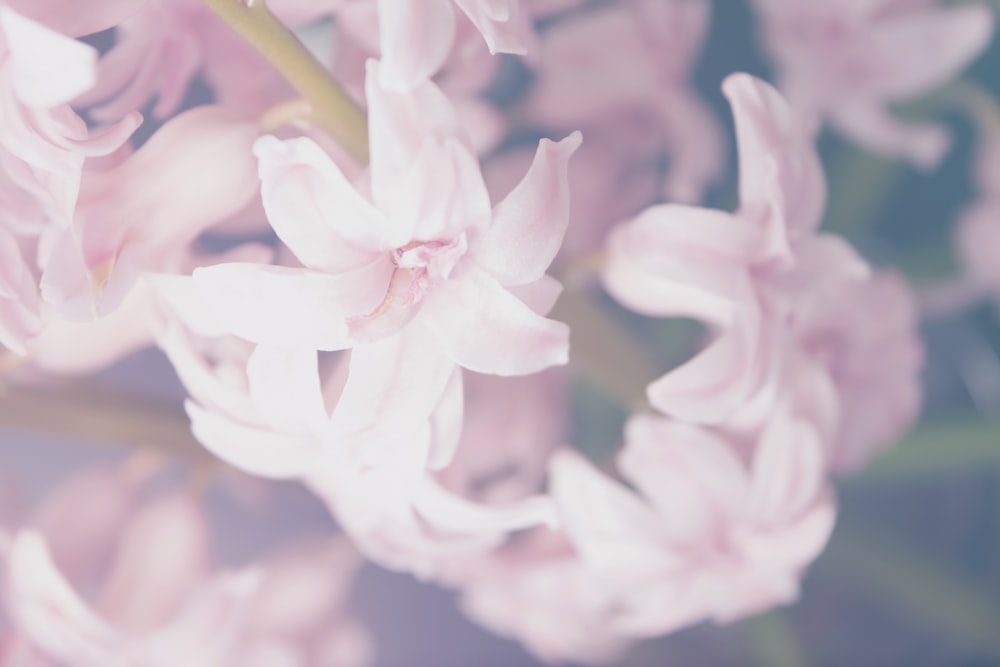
{"x":424,"y":252}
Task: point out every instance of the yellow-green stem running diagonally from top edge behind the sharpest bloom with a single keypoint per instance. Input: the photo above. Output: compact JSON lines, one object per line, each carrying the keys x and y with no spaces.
{"x":336,"y":113}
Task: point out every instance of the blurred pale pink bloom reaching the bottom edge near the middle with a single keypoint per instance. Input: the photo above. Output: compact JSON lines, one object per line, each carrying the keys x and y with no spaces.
{"x":539,"y":592}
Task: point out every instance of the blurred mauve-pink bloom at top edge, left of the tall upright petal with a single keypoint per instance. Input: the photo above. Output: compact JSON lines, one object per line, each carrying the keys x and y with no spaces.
{"x":635,"y":57}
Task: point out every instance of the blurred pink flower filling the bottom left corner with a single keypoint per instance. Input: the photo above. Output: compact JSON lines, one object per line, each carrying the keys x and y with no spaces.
{"x":102,"y":576}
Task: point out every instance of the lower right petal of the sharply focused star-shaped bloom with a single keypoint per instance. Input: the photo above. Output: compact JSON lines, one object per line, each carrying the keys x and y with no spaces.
{"x":486,"y":329}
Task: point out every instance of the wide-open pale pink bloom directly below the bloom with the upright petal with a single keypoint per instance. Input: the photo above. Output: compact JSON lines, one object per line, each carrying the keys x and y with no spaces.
{"x":706,"y":535}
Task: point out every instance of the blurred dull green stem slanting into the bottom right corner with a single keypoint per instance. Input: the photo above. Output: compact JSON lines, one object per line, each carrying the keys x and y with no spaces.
{"x":926,"y":590}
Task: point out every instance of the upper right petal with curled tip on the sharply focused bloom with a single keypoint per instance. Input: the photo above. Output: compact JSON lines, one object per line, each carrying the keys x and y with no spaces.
{"x":529,"y":224}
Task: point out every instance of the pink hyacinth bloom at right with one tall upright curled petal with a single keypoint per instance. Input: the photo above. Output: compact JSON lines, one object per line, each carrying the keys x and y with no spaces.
{"x":770,"y":286}
